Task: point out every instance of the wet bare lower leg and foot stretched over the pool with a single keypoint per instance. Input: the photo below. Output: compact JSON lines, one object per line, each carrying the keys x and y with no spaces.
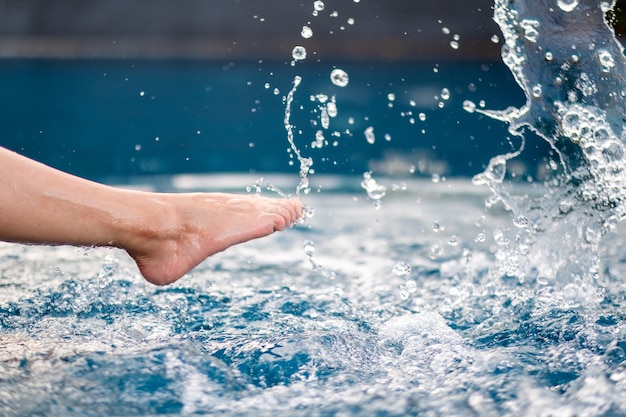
{"x":166,"y":234}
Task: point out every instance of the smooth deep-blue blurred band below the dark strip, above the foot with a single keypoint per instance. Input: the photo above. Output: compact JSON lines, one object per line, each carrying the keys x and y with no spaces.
{"x":89,"y":117}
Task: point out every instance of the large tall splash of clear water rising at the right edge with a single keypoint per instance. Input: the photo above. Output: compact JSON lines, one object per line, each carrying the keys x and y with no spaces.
{"x":573,"y":72}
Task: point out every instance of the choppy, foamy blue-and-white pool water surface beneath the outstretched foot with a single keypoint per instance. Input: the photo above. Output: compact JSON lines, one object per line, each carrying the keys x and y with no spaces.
{"x":256,"y":330}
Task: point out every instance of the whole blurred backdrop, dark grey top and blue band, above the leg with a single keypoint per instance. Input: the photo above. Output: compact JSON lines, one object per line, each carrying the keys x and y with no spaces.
{"x":111,"y":88}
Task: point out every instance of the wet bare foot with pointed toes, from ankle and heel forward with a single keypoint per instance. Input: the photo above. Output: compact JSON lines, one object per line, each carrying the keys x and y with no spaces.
{"x":182,"y":230}
